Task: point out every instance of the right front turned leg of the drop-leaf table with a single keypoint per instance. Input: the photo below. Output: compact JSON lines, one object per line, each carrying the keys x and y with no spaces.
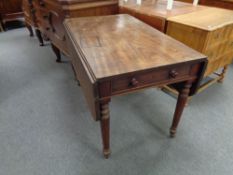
{"x":181,"y":102}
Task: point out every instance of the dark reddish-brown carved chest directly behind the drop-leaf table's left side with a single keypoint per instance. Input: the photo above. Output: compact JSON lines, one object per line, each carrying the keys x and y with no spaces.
{"x":50,"y":15}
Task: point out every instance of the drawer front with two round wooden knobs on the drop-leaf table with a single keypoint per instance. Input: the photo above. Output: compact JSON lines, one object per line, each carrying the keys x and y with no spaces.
{"x":138,"y":81}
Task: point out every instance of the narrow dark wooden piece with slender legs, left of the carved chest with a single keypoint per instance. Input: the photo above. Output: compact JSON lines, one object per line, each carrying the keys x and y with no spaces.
{"x":31,"y":20}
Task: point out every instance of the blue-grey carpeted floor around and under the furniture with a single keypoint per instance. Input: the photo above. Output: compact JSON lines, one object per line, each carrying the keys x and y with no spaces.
{"x":46,"y":128}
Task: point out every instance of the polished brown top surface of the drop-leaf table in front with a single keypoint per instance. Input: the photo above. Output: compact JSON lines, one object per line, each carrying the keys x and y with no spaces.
{"x":121,"y":44}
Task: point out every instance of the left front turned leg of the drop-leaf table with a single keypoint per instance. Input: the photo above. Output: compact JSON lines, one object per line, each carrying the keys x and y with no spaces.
{"x":105,"y":126}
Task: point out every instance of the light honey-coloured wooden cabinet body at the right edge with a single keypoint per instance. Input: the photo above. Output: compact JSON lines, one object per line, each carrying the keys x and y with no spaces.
{"x":208,"y":33}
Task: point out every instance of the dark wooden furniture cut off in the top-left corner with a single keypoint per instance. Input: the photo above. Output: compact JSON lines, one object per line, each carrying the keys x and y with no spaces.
{"x":10,"y":10}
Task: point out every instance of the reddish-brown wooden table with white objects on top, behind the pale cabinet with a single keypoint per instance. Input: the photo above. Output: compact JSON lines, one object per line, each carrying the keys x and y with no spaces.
{"x":155,"y":13}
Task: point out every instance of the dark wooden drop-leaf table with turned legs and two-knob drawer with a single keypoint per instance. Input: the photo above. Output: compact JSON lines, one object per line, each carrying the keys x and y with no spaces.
{"x":114,"y":55}
